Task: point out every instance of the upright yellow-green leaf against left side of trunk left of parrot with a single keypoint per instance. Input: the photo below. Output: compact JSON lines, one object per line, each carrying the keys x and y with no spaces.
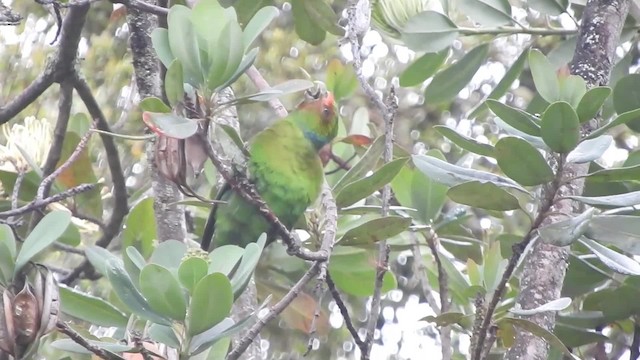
{"x":140,"y":230}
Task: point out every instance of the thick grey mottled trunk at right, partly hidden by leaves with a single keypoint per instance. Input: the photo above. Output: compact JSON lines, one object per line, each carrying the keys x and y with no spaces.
{"x":545,"y":268}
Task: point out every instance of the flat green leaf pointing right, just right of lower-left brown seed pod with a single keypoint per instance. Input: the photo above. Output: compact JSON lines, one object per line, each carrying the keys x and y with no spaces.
{"x":89,"y":308}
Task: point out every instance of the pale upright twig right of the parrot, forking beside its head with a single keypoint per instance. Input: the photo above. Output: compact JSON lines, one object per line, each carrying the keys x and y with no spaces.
{"x":387,"y":109}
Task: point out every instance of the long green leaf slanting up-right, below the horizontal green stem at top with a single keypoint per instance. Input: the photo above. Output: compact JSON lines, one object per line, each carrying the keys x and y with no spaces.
{"x":447,"y":83}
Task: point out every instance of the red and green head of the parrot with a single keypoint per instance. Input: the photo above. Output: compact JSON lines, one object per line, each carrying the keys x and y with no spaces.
{"x":318,"y":117}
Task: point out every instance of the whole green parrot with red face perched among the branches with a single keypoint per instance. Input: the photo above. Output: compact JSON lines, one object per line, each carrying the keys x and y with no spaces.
{"x":286,"y":169}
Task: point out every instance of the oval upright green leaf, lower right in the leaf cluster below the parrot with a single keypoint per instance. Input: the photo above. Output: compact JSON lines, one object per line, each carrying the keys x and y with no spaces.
{"x":211,"y":303}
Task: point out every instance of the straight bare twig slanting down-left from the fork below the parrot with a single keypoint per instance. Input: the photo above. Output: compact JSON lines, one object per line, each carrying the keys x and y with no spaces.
{"x":274,"y":310}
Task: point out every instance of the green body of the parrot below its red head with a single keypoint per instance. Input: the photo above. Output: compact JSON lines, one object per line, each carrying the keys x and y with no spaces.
{"x":285,"y":167}
